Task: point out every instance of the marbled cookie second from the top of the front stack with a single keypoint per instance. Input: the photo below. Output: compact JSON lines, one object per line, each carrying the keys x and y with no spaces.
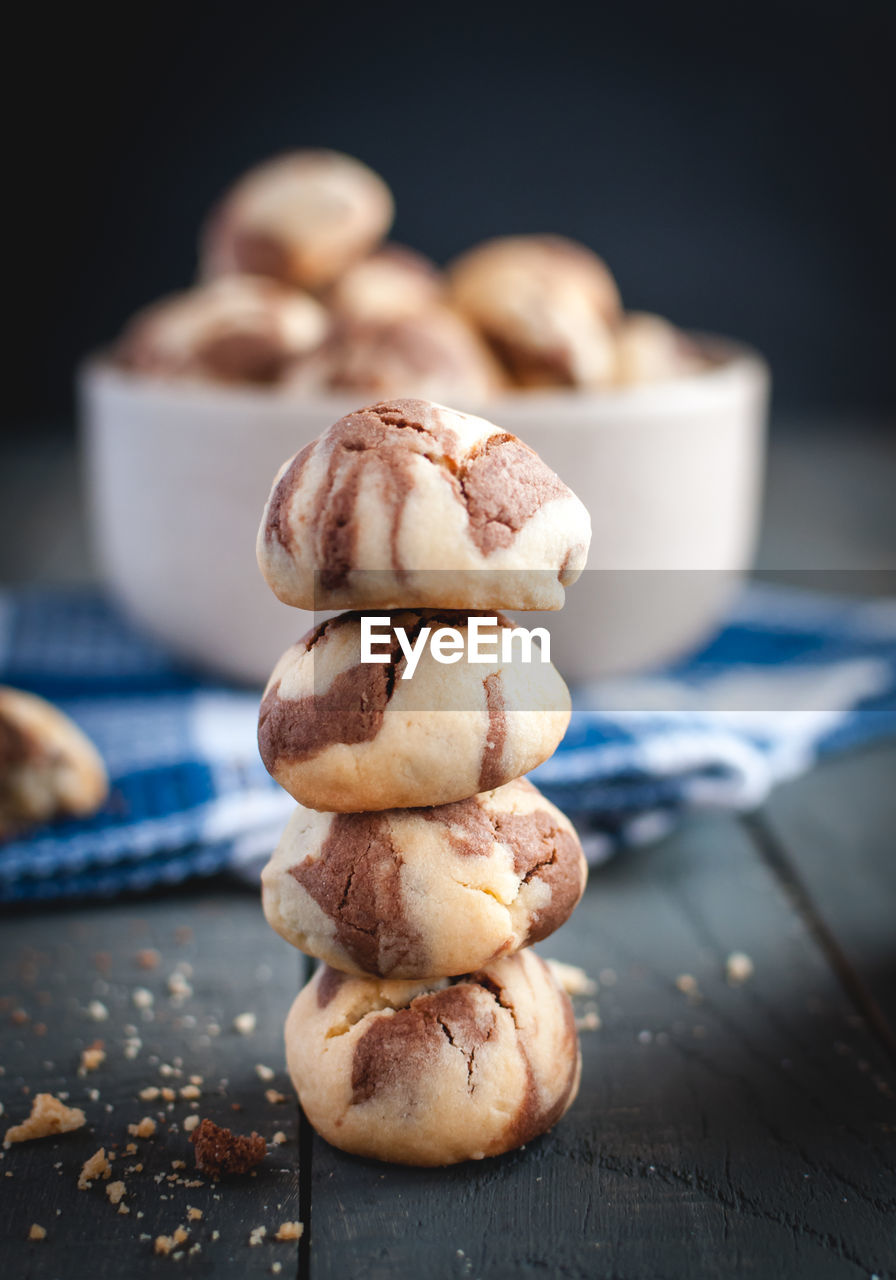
{"x":345,"y":735}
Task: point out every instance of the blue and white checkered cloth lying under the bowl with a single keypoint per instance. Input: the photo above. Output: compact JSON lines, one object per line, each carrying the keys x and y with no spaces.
{"x":792,"y":679}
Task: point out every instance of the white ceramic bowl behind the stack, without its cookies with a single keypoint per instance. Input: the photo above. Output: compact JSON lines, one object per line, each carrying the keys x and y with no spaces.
{"x":179,"y":476}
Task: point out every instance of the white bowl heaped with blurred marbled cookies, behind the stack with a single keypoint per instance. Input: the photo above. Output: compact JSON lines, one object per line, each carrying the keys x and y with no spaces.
{"x":305,"y":313}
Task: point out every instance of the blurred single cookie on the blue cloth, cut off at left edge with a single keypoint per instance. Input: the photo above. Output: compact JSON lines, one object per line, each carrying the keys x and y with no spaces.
{"x":48,"y":767}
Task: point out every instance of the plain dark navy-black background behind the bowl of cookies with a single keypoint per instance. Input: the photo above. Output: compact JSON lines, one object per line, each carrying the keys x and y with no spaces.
{"x":734,"y":164}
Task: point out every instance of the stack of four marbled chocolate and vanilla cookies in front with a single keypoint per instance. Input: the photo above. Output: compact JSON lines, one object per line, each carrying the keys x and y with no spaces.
{"x":420,"y":865}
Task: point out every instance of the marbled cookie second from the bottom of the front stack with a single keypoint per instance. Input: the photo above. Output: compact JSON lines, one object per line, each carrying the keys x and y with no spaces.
{"x":417,"y":893}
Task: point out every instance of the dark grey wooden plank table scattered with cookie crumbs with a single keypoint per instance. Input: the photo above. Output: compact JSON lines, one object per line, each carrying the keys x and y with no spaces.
{"x":721,"y":1130}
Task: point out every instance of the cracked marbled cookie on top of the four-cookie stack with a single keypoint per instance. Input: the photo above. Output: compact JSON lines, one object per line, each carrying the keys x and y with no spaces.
{"x":412,"y":505}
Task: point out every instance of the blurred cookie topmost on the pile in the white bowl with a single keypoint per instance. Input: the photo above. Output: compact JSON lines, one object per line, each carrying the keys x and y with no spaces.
{"x":303,"y":218}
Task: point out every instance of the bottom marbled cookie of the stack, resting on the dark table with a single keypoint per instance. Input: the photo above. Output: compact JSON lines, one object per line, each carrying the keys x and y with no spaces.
{"x":435,"y":1073}
